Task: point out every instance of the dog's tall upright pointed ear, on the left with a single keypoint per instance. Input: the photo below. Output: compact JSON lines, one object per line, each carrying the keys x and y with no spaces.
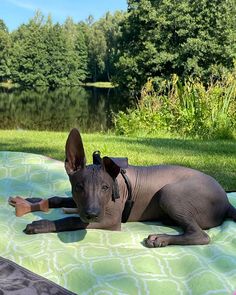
{"x":75,"y":156}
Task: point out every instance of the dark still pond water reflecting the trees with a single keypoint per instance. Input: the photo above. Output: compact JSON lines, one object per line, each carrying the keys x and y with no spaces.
{"x":87,"y":108}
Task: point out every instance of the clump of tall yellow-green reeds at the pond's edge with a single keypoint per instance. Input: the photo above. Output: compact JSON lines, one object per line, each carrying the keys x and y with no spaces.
{"x":188,"y":108}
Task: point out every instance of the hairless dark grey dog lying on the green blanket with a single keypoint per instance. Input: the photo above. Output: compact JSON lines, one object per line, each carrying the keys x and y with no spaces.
{"x":174,"y":195}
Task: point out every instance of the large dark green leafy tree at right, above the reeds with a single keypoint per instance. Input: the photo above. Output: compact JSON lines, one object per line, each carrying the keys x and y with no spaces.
{"x":185,"y":37}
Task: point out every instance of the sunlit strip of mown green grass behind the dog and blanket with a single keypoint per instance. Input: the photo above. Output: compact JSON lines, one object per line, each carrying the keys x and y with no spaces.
{"x":217,"y":158}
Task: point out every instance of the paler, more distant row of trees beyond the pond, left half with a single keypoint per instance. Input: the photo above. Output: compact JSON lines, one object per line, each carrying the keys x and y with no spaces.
{"x":41,"y":53}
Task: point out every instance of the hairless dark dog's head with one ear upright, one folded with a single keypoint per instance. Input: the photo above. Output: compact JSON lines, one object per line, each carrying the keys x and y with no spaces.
{"x":92,"y":185}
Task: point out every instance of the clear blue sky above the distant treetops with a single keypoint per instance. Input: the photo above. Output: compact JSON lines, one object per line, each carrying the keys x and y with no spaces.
{"x":16,"y":12}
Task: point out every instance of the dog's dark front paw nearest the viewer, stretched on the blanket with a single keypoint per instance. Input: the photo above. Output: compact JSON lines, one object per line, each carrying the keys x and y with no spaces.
{"x":40,"y":226}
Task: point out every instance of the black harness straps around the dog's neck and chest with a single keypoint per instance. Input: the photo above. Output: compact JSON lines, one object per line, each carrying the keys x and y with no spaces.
{"x":115,"y":190}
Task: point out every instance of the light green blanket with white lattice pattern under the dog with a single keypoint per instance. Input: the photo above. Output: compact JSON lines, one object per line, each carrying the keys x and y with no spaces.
{"x":105,"y":262}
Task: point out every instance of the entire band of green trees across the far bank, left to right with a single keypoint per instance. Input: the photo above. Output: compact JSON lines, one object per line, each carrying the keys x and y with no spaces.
{"x":152,"y":39}
